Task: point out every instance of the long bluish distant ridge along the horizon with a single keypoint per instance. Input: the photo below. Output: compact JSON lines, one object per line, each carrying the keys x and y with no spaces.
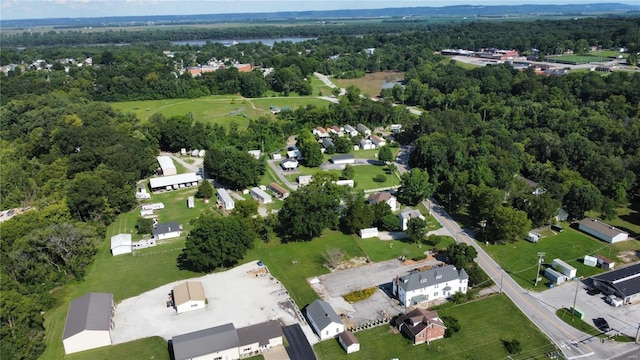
{"x":407,"y":12}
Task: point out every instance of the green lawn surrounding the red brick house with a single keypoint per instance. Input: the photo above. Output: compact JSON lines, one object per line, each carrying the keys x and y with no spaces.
{"x":480,"y":337}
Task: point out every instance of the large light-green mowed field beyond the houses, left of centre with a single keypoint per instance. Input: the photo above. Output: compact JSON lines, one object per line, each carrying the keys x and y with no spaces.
{"x":216,"y":109}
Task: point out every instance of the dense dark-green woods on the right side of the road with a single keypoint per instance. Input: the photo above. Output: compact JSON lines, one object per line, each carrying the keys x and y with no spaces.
{"x":577,"y":136}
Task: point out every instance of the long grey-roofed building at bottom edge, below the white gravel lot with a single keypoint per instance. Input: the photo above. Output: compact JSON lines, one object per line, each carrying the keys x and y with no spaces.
{"x":226,"y":342}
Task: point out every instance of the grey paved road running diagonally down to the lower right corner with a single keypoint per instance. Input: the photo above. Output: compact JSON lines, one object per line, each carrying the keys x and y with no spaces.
{"x":573,"y":343}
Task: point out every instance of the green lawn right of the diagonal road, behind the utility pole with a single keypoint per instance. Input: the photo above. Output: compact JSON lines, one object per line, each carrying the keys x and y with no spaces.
{"x":520,"y":259}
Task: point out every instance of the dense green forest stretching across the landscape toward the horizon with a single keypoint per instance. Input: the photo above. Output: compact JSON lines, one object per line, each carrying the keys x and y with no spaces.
{"x":75,"y":161}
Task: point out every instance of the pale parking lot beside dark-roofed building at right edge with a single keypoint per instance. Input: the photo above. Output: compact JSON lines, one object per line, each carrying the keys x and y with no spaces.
{"x":623,"y":319}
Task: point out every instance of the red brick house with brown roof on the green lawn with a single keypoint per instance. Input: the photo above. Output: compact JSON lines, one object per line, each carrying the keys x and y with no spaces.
{"x":421,"y":326}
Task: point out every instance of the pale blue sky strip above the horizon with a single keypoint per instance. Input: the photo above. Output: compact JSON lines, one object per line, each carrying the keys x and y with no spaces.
{"x":40,"y":9}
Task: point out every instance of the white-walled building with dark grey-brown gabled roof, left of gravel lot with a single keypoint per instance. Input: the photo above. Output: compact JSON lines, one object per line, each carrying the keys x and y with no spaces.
{"x":89,"y":323}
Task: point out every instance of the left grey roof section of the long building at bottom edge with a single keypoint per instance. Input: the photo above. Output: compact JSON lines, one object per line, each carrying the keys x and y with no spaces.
{"x":205,"y":341}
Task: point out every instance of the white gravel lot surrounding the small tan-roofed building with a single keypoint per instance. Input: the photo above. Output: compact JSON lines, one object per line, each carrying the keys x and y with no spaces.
{"x":235,"y":296}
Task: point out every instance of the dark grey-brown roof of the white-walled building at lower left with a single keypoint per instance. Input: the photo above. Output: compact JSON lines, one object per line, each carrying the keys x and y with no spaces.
{"x":89,"y":312}
